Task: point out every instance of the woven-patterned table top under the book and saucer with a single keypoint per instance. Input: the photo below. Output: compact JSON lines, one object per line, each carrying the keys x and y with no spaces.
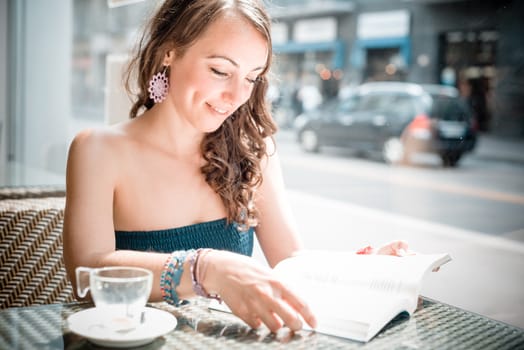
{"x":433,"y":326}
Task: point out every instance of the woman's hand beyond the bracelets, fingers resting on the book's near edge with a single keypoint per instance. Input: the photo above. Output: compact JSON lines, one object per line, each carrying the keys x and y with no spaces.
{"x":253,"y":292}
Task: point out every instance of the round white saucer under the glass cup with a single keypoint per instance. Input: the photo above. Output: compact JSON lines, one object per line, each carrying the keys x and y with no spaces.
{"x":89,"y":324}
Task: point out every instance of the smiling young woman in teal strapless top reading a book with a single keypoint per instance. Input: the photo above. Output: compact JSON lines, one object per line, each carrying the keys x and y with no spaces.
{"x":182,"y":187}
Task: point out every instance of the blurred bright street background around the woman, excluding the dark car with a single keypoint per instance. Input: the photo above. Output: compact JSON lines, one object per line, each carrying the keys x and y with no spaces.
{"x":60,"y":72}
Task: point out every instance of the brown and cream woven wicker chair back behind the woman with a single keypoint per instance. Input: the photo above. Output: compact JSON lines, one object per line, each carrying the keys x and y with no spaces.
{"x":31,"y":264}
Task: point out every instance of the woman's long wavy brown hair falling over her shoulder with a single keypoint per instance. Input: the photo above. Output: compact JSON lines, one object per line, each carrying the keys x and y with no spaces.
{"x":233,"y":153}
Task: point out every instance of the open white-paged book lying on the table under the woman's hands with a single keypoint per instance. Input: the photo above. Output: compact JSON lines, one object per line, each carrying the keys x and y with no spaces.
{"x":354,"y":296}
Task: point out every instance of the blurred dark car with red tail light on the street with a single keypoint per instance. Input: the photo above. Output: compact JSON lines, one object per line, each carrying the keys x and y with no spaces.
{"x":399,"y":120}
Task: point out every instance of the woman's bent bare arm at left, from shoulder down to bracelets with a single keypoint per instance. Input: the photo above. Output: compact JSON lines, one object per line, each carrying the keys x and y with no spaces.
{"x":88,"y":233}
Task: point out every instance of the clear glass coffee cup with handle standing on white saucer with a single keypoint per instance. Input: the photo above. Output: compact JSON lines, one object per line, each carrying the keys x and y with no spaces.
{"x":120,"y":293}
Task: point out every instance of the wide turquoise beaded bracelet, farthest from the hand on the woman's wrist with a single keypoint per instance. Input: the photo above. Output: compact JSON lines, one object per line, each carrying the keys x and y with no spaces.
{"x":171,"y":275}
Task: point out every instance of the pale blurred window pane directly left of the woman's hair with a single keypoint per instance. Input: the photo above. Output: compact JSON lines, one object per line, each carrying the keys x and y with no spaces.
{"x":100,"y":32}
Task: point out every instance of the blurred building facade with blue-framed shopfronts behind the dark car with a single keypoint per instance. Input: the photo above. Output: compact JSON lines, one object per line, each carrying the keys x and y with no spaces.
{"x":475,"y":46}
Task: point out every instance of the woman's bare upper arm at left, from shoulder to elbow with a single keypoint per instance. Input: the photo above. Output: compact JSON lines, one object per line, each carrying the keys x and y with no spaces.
{"x":88,"y":217}
